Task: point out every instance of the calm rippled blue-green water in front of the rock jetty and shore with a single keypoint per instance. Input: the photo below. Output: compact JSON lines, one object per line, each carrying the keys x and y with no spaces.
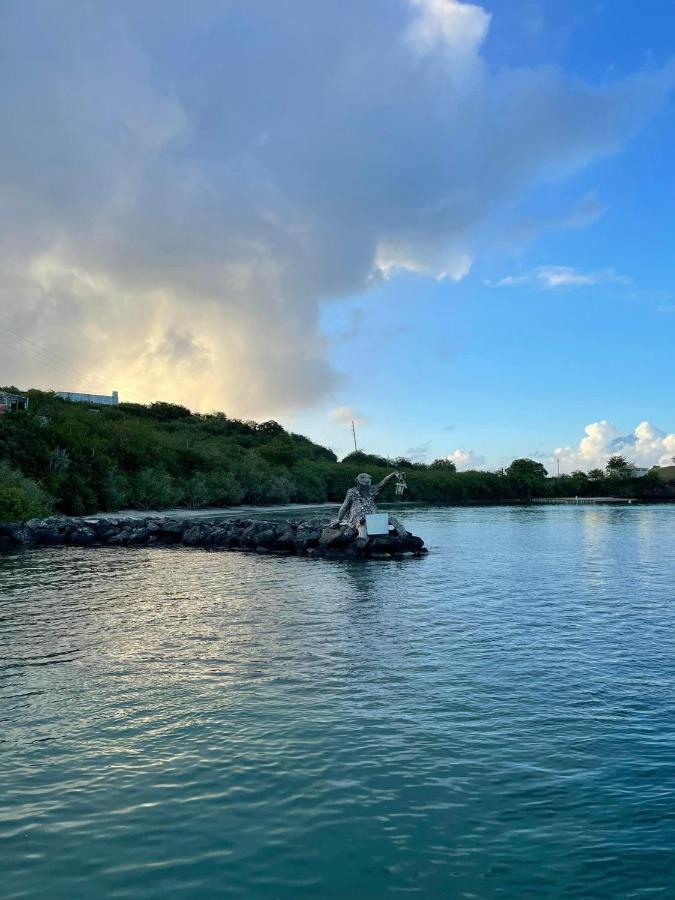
{"x":496,"y":720}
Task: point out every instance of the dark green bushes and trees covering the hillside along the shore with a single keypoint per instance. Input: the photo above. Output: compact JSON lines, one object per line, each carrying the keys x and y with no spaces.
{"x":78,"y":459}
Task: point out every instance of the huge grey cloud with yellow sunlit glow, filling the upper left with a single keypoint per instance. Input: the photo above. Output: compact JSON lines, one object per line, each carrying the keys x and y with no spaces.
{"x":182,"y":188}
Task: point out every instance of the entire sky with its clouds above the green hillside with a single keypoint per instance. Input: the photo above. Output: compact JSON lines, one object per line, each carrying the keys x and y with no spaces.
{"x":448,"y":222}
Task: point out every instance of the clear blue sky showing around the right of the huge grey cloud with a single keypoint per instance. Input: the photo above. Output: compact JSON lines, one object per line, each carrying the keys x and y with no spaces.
{"x":522,"y":370}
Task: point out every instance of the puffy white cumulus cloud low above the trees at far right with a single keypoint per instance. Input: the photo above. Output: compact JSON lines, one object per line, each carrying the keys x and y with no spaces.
{"x":644,"y":446}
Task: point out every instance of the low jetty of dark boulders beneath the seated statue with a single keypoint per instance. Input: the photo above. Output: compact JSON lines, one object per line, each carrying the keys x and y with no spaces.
{"x":311,"y":537}
